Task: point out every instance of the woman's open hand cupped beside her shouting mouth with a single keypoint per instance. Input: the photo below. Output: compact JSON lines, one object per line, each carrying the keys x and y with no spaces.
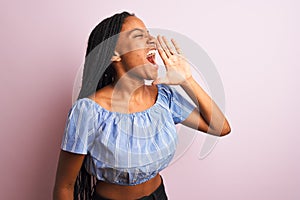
{"x":177,"y":67}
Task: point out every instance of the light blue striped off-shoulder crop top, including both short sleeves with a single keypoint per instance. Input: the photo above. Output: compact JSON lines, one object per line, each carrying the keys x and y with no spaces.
{"x":126,"y":149}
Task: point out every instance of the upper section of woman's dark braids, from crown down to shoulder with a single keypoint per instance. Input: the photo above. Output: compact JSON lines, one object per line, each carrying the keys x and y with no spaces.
{"x":98,"y":70}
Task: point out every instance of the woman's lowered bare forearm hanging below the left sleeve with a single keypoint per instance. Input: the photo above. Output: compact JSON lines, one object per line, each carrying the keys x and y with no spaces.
{"x":68,"y":168}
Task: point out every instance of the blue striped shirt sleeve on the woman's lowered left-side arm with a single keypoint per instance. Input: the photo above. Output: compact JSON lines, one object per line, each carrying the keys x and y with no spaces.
{"x":79,"y":128}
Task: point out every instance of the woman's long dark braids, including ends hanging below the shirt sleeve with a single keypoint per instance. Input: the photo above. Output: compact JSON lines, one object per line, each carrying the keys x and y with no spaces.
{"x":97,"y":73}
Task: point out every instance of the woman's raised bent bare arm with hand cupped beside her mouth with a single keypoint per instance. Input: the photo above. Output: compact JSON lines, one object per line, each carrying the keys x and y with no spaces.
{"x":208,"y":117}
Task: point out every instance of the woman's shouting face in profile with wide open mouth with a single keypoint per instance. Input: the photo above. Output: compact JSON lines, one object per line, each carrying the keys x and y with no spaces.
{"x":137,"y":49}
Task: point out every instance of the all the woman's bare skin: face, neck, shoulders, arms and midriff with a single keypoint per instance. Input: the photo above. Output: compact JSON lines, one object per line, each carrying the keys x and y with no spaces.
{"x":129,"y":94}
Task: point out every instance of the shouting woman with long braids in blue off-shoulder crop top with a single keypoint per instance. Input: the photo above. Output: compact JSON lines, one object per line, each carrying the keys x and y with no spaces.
{"x":121,"y":130}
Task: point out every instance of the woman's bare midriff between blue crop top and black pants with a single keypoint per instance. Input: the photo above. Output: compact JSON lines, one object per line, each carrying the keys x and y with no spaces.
{"x":124,"y":192}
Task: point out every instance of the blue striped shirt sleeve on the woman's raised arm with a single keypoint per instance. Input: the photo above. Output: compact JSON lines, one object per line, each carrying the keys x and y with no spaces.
{"x":180,"y":107}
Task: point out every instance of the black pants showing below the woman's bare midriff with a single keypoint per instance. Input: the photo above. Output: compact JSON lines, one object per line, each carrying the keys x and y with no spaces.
{"x":158,"y":194}
